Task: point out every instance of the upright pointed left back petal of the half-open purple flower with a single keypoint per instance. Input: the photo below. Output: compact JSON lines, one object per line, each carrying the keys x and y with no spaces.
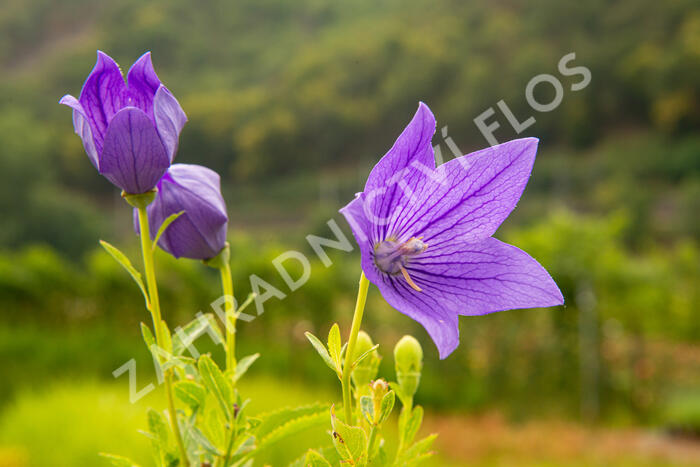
{"x":102,"y":96}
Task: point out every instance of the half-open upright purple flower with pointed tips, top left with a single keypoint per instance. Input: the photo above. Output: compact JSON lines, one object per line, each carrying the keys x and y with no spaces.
{"x":130,"y":130}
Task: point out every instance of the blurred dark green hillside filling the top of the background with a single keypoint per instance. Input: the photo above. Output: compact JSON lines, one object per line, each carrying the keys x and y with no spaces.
{"x":278,"y":93}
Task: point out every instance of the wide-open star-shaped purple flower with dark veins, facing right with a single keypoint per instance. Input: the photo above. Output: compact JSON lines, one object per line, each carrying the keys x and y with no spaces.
{"x":425,"y":232}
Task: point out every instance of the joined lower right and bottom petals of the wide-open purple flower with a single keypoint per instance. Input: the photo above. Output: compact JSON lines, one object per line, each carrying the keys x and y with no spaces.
{"x":467,"y":279}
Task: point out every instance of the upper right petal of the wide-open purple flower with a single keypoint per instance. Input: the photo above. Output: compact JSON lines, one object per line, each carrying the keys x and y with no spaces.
{"x":471,"y":198}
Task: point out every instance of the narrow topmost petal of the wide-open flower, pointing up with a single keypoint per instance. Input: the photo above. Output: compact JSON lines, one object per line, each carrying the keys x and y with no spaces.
{"x":405,"y":166}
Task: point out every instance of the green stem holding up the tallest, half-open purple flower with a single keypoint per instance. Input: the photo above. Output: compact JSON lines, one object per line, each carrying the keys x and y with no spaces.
{"x":147,"y":251}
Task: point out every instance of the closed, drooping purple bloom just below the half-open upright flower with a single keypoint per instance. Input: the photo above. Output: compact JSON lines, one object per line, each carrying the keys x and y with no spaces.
{"x":200,"y":232}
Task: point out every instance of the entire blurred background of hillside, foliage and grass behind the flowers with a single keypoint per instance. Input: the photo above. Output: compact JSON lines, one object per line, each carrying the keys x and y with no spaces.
{"x":292,"y":102}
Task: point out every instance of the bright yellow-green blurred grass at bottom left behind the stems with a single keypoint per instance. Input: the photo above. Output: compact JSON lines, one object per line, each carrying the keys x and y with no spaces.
{"x":68,"y":423}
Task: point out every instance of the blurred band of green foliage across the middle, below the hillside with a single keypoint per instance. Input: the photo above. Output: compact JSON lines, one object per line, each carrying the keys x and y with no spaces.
{"x":642,"y":308}
